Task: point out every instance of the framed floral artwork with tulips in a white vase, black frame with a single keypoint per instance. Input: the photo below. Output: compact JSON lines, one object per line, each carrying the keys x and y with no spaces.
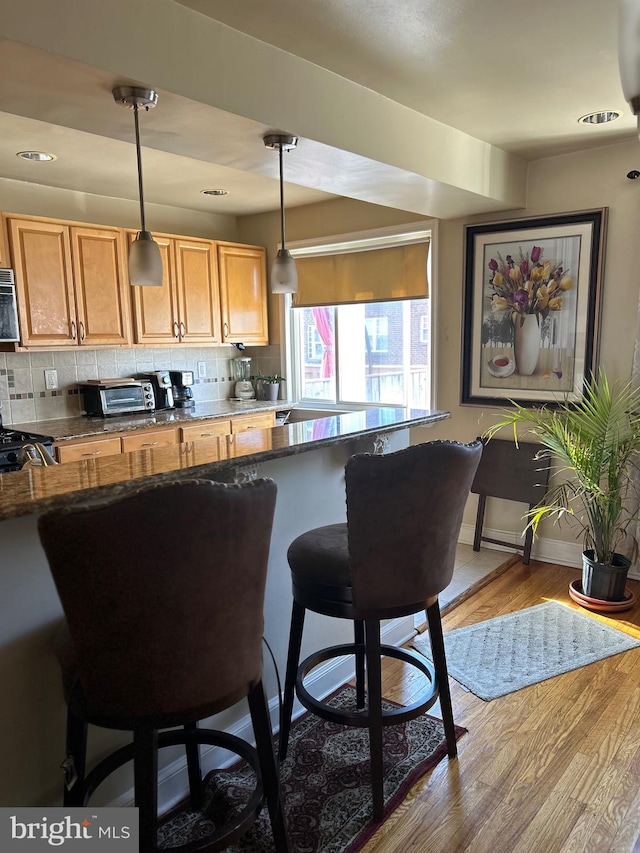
{"x":532,"y":308}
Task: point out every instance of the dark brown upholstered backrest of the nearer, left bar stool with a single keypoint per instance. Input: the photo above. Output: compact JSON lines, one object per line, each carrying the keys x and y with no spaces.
{"x":163,"y":591}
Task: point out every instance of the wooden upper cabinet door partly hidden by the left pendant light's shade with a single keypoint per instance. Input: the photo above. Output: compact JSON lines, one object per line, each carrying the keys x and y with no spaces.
{"x":155,"y":309}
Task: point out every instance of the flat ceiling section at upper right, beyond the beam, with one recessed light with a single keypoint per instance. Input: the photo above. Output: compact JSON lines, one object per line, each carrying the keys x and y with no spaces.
{"x":516,"y":73}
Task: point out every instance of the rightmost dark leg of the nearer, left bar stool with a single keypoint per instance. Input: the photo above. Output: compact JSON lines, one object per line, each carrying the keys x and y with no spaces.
{"x":266,"y":756}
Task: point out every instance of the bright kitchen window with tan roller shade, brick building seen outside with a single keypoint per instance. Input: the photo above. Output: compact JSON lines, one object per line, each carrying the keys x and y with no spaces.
{"x":360,"y":353}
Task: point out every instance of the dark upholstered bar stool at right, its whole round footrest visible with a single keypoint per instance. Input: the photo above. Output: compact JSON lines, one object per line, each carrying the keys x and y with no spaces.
{"x":392,"y":558}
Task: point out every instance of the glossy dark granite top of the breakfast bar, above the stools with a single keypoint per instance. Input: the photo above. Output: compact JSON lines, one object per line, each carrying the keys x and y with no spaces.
{"x":36,"y":490}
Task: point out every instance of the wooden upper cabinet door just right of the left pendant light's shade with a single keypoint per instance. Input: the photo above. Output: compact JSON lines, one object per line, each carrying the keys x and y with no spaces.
{"x":198,"y":296}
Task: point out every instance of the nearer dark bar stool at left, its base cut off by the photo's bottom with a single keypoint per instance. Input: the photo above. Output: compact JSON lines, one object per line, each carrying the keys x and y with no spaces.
{"x":163,"y":594}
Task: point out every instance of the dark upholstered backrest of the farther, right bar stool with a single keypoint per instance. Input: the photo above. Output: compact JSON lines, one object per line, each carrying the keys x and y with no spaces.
{"x":404,"y":512}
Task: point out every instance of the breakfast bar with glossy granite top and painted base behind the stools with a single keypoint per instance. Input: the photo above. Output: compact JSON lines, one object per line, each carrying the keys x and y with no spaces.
{"x":305,"y":459}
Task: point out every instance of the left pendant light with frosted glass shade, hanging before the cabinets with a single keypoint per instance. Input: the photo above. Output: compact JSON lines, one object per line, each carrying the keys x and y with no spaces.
{"x":145,"y":261}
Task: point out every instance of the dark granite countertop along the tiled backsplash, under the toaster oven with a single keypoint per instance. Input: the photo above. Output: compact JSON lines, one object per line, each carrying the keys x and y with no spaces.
{"x":63,"y":429}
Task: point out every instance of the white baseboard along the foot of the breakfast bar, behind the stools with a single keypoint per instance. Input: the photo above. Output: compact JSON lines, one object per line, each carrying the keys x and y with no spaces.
{"x":173,"y":784}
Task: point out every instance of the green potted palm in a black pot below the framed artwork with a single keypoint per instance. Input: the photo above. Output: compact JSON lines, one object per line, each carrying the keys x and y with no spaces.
{"x":594,"y":446}
